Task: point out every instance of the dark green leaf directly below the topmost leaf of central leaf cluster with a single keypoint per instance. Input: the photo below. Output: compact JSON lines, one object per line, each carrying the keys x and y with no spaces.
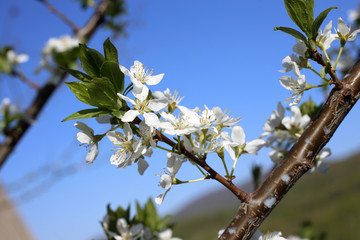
{"x":112,"y":71}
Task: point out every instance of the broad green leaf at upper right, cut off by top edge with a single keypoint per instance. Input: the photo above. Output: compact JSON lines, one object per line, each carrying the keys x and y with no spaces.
{"x":302,"y":13}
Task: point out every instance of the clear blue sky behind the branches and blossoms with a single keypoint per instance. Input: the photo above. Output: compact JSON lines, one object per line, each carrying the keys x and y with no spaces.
{"x":218,"y":53}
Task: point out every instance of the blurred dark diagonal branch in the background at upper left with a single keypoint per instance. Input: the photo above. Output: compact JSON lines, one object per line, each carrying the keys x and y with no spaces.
{"x":15,"y":135}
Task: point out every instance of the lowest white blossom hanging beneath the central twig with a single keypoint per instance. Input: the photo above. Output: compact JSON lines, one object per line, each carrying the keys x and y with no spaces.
{"x":168,"y":179}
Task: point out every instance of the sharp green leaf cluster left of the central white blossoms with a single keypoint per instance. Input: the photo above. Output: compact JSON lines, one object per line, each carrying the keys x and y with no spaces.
{"x":99,"y":83}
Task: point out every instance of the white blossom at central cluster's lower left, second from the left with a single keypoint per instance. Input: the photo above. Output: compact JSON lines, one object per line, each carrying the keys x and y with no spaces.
{"x":130,"y":149}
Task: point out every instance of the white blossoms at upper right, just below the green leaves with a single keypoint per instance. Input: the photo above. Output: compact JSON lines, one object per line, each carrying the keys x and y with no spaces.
{"x":298,"y":61}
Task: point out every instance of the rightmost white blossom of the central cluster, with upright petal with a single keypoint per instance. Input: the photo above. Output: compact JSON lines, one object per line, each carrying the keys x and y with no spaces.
{"x":237,"y":145}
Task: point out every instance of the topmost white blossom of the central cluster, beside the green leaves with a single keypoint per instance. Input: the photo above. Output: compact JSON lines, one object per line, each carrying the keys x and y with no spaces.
{"x":139,"y":75}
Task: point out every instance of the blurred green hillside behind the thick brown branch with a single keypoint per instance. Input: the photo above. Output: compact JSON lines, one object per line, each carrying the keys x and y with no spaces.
{"x":330,"y":201}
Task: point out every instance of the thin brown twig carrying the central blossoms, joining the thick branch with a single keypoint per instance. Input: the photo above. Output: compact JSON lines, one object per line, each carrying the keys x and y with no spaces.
{"x":241,"y":195}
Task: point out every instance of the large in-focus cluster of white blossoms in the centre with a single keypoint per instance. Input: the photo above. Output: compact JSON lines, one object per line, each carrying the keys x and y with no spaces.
{"x":199,"y":132}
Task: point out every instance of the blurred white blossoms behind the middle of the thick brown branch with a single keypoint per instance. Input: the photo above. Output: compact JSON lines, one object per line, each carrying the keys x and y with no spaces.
{"x":281,"y":132}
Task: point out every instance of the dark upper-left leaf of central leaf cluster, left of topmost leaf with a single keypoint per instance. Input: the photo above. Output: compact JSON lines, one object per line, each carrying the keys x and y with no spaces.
{"x":91,"y":60}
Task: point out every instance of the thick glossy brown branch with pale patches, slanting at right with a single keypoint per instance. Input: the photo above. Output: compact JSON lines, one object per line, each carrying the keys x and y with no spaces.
{"x":298,"y":161}
